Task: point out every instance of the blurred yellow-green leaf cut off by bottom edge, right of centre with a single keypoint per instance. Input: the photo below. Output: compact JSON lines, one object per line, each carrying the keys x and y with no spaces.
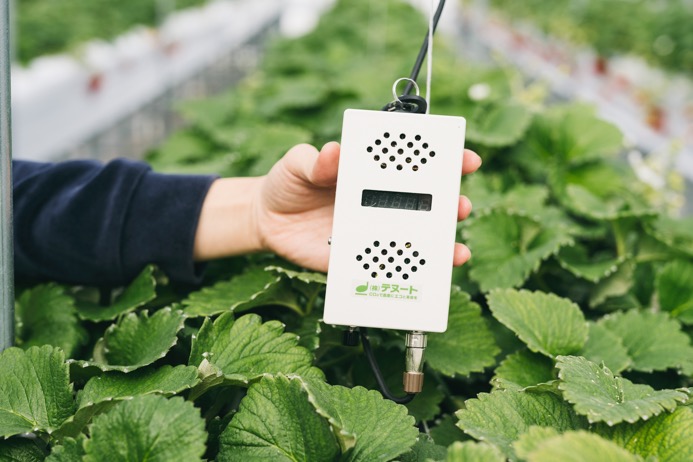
{"x":580,"y":446}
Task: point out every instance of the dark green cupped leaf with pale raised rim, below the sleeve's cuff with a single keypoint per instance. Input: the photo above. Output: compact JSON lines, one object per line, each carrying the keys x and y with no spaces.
{"x":137,"y":340}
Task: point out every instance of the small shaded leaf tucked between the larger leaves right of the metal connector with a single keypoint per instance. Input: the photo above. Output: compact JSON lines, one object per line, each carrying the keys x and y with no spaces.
{"x":523,"y":369}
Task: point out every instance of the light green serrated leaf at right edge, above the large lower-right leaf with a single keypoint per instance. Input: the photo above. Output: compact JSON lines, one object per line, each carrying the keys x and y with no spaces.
{"x":654,"y":341}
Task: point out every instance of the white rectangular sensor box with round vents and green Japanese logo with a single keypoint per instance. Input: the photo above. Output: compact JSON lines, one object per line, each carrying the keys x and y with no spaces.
{"x":395,"y":221}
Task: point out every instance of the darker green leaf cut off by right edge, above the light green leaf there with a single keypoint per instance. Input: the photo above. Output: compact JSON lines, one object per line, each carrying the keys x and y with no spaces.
{"x":675,"y":290}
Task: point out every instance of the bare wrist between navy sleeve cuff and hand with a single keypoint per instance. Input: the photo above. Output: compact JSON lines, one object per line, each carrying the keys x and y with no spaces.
{"x":228,"y":223}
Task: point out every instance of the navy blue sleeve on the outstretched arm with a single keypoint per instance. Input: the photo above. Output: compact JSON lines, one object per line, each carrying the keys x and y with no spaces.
{"x":84,"y":222}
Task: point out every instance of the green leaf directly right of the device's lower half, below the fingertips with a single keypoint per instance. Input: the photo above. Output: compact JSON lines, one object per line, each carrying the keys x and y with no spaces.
{"x":512,"y":246}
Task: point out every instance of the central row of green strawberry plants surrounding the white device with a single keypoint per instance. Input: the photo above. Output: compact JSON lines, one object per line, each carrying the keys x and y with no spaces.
{"x":569,"y":335}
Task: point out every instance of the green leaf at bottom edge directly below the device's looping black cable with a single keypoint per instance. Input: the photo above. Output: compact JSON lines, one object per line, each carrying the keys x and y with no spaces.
{"x":367,"y":426}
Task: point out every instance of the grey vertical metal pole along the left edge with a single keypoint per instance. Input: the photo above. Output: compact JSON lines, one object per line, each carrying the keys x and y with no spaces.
{"x":6,"y":241}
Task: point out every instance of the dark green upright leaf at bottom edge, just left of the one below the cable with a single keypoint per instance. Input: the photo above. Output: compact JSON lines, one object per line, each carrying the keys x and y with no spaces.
{"x":275,"y":421}
